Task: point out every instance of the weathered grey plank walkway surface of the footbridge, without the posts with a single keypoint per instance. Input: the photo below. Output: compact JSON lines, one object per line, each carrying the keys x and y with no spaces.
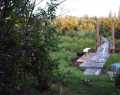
{"x":96,"y":61}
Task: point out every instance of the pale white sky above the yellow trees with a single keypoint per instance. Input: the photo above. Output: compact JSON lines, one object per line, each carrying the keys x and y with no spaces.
{"x":90,"y":7}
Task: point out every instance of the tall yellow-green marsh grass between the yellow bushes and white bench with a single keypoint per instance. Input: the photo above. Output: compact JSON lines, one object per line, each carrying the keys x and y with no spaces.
{"x":77,"y":41}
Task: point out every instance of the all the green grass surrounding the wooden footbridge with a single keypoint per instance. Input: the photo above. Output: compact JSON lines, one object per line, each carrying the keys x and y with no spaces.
{"x":73,"y":42}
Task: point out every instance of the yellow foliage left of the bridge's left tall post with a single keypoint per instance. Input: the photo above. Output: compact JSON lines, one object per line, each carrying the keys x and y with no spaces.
{"x":72,"y":23}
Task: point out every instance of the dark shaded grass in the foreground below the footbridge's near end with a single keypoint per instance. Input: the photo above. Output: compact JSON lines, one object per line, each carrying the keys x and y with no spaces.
{"x":98,"y":87}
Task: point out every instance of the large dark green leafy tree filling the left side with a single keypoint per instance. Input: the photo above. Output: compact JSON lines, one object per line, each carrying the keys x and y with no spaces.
{"x":26,"y":42}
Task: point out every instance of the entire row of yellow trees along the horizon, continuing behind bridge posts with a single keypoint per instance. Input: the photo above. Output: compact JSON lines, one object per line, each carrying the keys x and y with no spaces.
{"x":73,"y":23}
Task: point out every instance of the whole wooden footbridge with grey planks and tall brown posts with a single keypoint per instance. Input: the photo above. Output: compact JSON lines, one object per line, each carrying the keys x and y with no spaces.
{"x":93,"y":63}
